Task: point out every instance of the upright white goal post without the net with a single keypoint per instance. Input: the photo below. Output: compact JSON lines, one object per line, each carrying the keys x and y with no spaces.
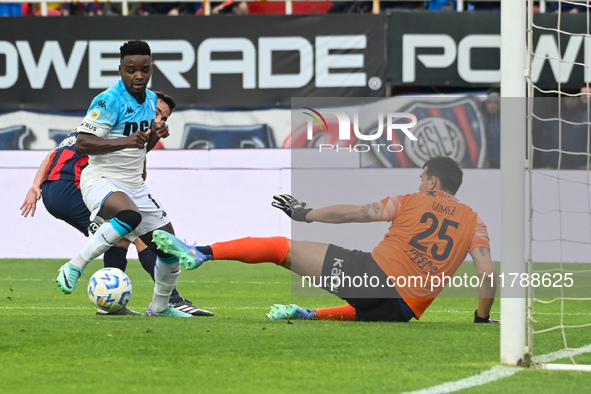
{"x":513,"y":136}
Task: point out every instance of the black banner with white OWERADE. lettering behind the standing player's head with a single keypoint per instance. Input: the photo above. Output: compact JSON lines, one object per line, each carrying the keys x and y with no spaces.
{"x":61,"y":64}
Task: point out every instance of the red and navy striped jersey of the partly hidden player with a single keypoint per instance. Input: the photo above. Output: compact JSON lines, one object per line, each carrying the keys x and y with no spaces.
{"x":65,"y":164}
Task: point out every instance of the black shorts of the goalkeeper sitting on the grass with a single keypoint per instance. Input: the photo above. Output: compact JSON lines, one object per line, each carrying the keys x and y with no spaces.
{"x":355,"y":277}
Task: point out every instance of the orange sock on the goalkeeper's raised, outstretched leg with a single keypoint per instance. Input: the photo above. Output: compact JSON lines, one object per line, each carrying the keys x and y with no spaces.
{"x":252,"y":250}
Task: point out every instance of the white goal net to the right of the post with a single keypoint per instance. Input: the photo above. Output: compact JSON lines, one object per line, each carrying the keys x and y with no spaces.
{"x":558,"y":187}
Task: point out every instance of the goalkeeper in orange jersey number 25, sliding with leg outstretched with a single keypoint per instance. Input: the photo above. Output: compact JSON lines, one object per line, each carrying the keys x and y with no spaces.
{"x":430,"y":235}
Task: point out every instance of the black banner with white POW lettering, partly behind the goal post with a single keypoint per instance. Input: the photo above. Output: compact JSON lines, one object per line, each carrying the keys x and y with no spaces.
{"x":462,"y":50}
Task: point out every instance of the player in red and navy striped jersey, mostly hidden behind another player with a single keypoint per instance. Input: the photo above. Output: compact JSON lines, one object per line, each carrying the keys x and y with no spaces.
{"x":58,"y":181}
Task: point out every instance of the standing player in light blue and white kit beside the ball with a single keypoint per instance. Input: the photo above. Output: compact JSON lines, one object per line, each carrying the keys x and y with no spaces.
{"x":117,"y":132}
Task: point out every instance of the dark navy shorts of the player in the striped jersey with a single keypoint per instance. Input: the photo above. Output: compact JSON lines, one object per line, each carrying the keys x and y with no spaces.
{"x":63,"y":200}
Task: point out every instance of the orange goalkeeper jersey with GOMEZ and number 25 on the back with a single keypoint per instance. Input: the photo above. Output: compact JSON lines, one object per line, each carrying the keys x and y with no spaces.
{"x":431,"y":234}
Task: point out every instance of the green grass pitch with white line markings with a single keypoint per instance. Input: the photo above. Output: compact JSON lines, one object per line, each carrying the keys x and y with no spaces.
{"x":54,"y":343}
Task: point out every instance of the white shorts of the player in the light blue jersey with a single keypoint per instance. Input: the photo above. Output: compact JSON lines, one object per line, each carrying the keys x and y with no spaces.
{"x":153,"y":214}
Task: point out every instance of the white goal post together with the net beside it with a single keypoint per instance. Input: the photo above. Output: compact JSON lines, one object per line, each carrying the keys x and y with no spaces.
{"x":538,"y":122}
